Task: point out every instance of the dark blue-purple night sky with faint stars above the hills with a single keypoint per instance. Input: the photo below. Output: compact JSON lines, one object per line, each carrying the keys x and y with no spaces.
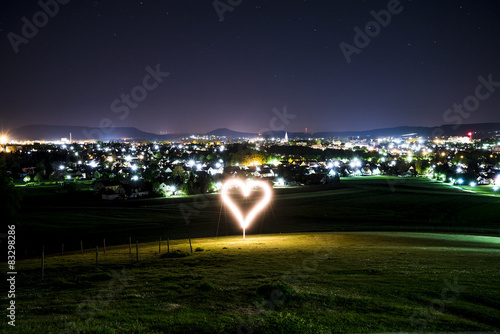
{"x":233,"y":73}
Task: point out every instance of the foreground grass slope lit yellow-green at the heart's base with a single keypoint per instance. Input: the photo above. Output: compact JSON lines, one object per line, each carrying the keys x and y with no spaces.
{"x":291,"y":283}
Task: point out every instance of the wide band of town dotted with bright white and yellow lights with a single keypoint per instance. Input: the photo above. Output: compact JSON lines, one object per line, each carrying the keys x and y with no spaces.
{"x":198,"y":164}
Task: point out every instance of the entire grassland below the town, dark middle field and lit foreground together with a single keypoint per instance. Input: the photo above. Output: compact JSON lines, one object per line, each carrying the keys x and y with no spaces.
{"x":373,"y":254}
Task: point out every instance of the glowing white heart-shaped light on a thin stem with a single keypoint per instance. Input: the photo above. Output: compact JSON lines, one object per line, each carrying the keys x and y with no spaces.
{"x":245,"y":189}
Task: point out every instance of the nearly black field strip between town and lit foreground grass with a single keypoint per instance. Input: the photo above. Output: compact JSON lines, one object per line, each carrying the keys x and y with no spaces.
{"x":358,"y":204}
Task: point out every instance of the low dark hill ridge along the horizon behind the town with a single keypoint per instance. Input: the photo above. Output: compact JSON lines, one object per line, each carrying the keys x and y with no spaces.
{"x":56,"y":132}
